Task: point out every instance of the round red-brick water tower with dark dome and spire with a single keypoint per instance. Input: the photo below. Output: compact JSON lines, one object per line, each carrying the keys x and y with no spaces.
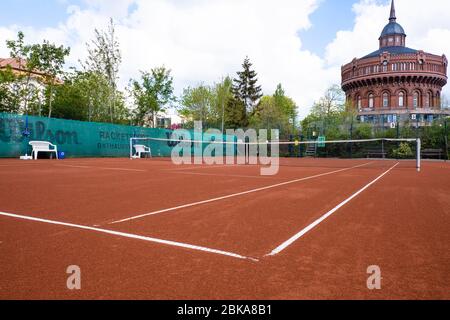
{"x":396,"y":83}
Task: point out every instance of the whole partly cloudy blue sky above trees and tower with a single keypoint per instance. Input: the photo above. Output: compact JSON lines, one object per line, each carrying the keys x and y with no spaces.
{"x":301,"y":44}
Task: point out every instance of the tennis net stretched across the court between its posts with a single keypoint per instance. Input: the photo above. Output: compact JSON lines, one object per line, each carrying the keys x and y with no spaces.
{"x":239,"y":152}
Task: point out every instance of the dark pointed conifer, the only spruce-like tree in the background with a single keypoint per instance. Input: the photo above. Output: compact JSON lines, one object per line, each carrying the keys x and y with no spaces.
{"x":245,"y":88}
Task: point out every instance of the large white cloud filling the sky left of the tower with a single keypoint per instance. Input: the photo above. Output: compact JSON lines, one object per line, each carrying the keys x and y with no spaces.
{"x":200,"y":40}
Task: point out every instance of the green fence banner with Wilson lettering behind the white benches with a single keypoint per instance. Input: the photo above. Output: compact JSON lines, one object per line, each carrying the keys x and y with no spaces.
{"x":74,"y":138}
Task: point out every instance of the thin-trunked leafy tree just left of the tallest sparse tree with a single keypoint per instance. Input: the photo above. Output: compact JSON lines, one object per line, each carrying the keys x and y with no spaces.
{"x":51,"y":62}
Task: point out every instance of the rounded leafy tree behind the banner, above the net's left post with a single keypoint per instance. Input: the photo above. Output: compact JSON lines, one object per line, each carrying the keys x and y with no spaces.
{"x":151,"y":94}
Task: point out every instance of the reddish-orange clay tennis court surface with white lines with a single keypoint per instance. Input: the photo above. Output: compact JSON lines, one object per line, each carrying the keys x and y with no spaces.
{"x":147,"y":229}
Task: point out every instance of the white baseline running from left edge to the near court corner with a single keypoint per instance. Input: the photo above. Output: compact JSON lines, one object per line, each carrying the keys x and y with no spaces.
{"x":131,"y":236}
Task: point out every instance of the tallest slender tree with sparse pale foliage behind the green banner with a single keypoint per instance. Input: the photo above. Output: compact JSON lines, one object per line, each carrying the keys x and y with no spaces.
{"x":105,"y":58}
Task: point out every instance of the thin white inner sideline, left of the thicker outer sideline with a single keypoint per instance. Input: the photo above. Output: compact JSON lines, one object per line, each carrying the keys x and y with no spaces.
{"x":236,"y":194}
